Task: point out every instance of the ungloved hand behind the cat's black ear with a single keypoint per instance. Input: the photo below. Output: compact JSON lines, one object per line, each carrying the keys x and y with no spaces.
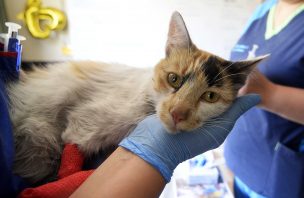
{"x":259,"y":84}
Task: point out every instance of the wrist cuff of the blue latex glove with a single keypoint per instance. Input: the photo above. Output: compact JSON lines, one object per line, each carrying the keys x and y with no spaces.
{"x":148,"y":156}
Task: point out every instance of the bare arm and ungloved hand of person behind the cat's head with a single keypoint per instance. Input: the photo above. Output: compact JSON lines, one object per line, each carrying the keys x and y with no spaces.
{"x":287,"y":102}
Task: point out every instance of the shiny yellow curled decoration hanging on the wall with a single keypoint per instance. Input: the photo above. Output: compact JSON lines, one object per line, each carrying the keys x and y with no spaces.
{"x":41,"y":21}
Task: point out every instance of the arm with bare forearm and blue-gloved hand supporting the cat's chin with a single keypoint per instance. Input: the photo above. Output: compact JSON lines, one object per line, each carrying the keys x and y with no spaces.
{"x":146,"y":159}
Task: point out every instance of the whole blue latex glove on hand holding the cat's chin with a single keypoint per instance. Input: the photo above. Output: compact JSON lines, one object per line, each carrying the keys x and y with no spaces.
{"x":165,"y":151}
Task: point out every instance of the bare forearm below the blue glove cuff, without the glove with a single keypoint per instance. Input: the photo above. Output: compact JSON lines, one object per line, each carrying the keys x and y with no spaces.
{"x":124,"y":175}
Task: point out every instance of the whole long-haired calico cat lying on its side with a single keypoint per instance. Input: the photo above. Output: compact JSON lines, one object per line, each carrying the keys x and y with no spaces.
{"x":95,"y":105}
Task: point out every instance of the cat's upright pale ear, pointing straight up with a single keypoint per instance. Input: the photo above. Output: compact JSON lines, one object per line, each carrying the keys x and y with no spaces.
{"x":178,"y":36}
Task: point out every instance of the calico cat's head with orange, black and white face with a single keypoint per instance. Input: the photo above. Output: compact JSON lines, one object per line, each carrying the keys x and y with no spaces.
{"x":194,"y":85}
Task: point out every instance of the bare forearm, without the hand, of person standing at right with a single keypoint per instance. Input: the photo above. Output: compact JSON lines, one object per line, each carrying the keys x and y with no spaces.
{"x":287,"y":102}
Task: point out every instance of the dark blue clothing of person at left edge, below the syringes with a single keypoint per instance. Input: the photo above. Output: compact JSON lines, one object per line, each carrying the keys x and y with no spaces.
{"x":10,"y":184}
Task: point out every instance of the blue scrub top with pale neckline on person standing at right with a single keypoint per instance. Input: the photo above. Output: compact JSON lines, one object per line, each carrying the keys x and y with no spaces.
{"x":262,"y":149}
